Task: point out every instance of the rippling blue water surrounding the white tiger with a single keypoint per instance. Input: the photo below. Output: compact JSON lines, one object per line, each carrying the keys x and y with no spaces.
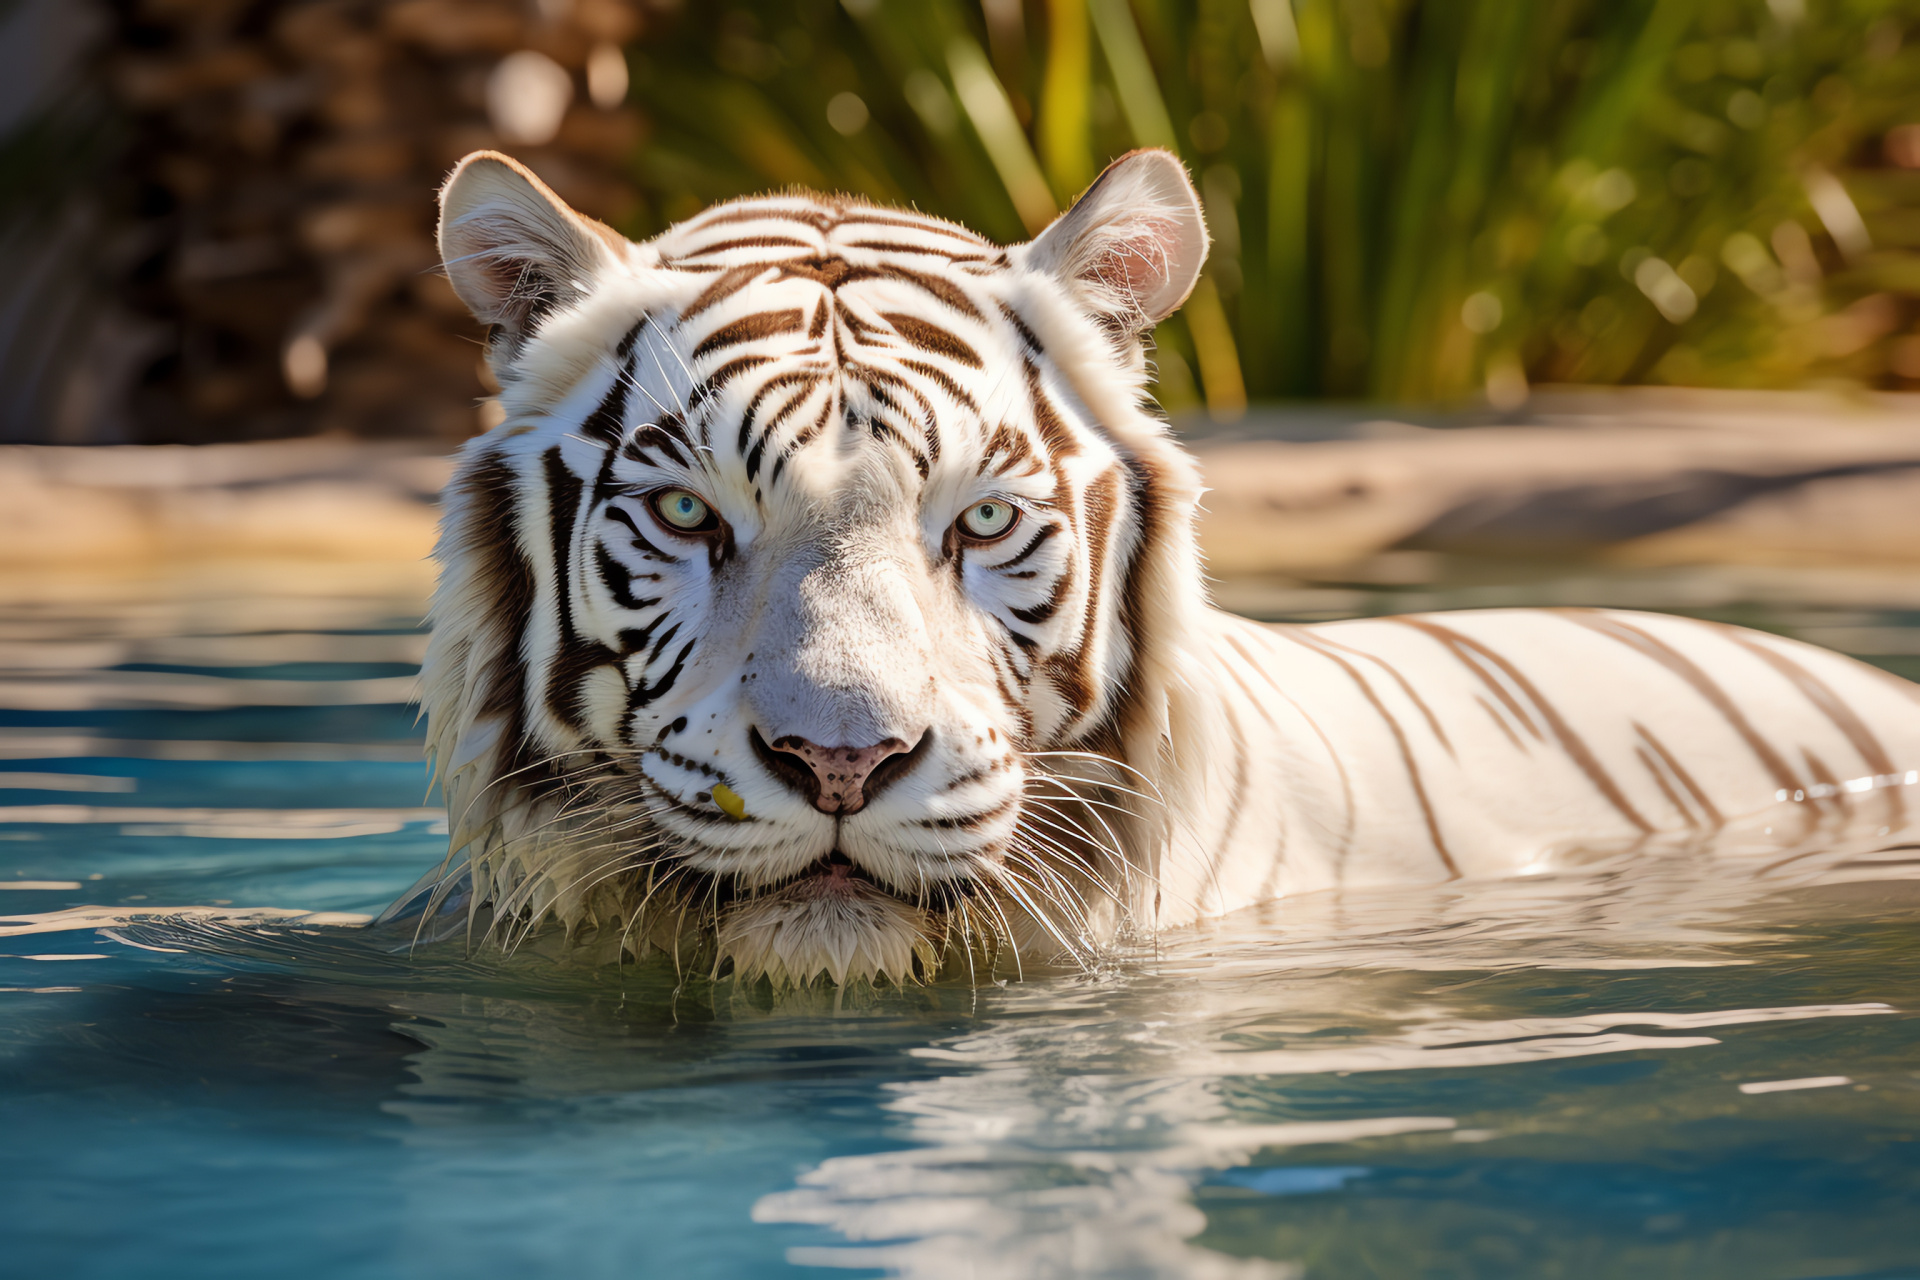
{"x":1514,"y":1079}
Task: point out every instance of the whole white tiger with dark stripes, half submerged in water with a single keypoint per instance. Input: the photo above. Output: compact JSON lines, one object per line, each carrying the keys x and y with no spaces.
{"x":828,"y":604}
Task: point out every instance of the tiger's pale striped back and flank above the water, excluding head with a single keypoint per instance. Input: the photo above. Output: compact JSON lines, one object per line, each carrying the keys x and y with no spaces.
{"x":1525,"y":740}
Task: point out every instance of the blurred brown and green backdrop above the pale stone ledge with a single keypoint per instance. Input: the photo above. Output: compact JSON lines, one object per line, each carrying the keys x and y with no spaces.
{"x":216,"y":216}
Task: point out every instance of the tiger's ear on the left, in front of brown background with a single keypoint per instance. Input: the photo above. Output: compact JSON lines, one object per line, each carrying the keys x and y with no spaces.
{"x":514,"y":250}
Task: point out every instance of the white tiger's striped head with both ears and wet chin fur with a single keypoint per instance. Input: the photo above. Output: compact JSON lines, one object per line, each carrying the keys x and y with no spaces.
{"x":821,"y":594}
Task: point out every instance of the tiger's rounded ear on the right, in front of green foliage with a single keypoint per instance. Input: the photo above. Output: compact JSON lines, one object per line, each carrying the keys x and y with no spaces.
{"x":1132,"y":247}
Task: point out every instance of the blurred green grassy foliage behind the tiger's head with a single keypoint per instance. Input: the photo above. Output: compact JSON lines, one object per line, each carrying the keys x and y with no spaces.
{"x":1410,"y":199}
